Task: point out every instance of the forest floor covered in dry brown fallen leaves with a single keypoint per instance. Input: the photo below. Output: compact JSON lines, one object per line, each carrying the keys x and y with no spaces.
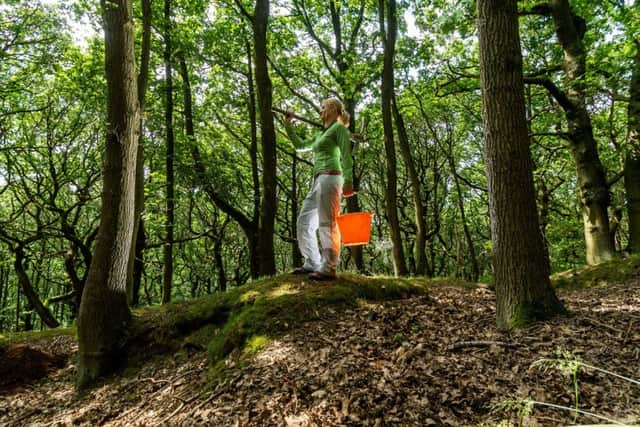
{"x":428,"y":360}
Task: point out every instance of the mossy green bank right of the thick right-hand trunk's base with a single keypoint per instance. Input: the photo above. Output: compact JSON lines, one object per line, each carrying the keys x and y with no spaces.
{"x":615,"y":271}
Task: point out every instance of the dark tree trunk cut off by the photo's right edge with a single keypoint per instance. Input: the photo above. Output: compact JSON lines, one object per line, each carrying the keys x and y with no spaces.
{"x":632,"y":159}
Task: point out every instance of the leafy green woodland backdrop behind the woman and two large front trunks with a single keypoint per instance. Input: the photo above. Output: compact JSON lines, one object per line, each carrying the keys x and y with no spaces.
{"x":582,"y":98}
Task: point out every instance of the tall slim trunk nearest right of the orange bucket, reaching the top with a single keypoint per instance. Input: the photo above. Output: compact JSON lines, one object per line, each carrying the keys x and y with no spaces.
{"x":389,"y":42}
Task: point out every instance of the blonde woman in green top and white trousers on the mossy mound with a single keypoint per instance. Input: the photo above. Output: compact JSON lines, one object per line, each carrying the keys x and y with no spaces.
{"x":333,"y":176}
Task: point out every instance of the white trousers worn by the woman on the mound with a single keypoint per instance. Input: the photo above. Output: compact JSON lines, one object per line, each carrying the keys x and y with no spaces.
{"x":318,"y":214}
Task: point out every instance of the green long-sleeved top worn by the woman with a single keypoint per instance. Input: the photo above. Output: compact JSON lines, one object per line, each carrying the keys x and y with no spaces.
{"x":331,"y":149}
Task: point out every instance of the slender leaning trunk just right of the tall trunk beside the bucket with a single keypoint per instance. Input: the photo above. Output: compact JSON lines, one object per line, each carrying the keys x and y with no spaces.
{"x":422,"y":267}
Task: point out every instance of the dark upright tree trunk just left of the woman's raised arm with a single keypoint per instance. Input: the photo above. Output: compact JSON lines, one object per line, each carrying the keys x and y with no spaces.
{"x":268,"y":208}
